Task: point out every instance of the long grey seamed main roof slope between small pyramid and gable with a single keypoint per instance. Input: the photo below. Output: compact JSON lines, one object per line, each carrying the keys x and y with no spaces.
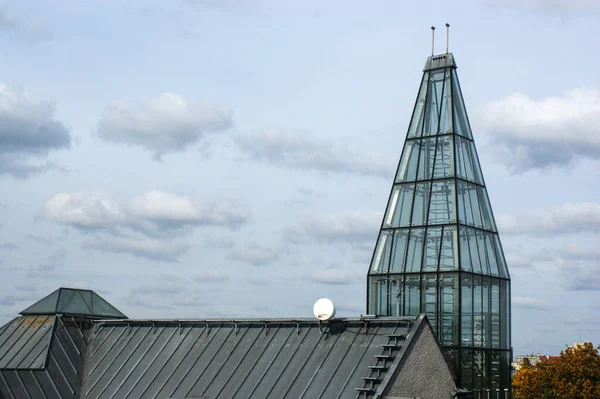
{"x":241,"y":358}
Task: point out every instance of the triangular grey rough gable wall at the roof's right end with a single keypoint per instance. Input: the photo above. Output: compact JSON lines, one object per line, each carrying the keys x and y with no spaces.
{"x":423,"y":372}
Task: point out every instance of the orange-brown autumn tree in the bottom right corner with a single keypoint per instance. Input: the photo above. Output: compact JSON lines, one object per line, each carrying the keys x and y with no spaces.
{"x":575,"y":374}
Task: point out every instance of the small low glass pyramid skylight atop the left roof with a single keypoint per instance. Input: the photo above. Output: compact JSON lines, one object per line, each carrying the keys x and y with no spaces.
{"x":74,"y":302}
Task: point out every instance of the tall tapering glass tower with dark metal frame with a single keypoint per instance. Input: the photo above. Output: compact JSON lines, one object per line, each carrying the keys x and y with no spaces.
{"x":438,"y":250}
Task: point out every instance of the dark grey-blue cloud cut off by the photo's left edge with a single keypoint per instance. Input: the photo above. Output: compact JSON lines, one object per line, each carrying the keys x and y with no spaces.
{"x":28,"y":132}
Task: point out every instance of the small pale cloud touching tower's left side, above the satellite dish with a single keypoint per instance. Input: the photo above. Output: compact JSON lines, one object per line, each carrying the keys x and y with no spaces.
{"x":348,"y":227}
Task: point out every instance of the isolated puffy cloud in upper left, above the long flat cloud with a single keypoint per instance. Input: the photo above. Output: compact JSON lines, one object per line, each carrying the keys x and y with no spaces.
{"x":167,"y":123}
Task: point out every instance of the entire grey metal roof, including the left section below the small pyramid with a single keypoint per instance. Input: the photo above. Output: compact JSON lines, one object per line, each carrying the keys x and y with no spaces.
{"x":65,"y":357}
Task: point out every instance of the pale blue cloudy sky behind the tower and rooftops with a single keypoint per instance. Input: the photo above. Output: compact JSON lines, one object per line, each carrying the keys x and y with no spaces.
{"x":205,"y":158}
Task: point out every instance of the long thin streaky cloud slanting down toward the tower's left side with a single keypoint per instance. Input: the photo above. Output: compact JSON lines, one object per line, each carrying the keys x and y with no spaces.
{"x":299,"y":150}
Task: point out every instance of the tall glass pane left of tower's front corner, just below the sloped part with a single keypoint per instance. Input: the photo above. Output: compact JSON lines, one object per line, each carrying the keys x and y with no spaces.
{"x":448,"y":328}
